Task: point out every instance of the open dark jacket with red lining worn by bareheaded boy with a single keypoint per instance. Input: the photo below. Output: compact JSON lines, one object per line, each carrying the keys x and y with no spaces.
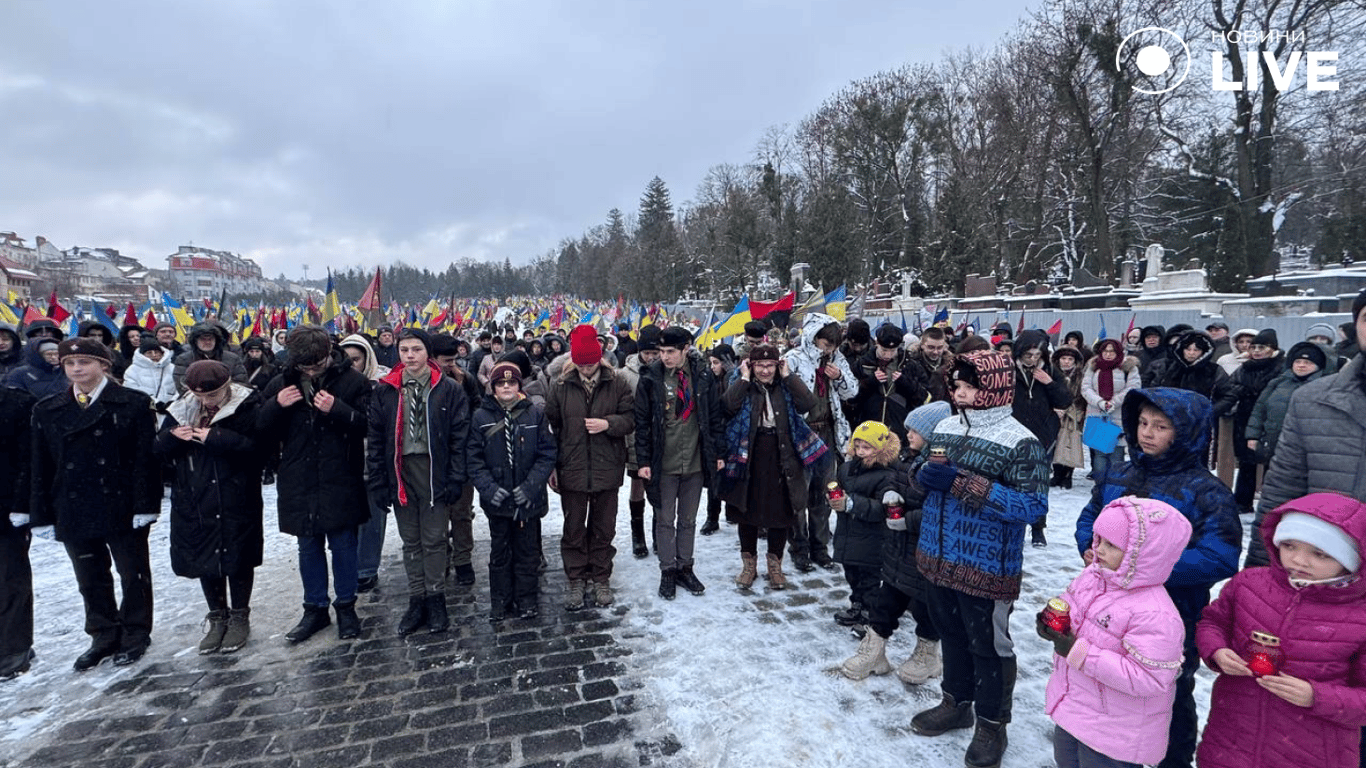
{"x":449,"y":428}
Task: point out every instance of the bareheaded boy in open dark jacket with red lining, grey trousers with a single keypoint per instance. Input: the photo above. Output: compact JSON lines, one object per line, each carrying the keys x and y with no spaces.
{"x":419,"y":424}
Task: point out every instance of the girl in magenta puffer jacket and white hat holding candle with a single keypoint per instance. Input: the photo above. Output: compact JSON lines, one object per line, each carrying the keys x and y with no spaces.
{"x":1311,"y":601}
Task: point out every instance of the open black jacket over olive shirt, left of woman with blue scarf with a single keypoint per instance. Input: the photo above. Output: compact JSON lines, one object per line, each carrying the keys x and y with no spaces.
{"x":650,"y":422}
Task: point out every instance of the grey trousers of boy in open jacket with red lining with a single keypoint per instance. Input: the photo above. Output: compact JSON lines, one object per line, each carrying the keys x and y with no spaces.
{"x":424,"y":530}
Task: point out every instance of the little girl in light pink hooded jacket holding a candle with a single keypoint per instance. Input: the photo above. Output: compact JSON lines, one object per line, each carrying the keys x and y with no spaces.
{"x":1115,"y":670}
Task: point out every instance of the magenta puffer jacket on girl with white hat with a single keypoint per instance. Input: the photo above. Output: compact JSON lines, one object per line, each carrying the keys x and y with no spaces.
{"x":1323,"y":633}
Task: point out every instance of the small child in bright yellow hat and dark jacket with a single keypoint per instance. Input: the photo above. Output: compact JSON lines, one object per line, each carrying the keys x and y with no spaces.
{"x":861,"y":520}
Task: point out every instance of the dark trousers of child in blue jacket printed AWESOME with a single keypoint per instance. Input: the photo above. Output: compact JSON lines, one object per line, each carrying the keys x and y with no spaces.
{"x":977,"y":650}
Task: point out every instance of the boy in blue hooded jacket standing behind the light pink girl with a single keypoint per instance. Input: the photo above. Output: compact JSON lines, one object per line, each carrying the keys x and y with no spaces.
{"x":1169,"y":433}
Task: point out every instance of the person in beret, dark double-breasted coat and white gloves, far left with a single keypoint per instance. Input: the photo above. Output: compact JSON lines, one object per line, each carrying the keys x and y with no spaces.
{"x":98,"y":487}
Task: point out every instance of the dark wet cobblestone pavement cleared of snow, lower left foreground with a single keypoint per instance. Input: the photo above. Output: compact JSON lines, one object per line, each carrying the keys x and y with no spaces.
{"x":557,"y":691}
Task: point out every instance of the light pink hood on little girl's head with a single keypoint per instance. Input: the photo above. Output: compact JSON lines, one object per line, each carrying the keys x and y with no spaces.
{"x":1156,"y":535}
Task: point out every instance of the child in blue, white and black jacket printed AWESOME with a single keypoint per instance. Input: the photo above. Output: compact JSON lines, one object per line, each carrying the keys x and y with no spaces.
{"x":972,"y":549}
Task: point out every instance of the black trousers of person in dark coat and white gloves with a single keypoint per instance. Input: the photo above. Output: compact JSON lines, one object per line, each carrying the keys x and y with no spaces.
{"x":125,"y":625}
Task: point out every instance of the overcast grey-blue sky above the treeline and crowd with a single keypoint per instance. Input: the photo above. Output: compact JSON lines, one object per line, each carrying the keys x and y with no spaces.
{"x":342,"y":133}
